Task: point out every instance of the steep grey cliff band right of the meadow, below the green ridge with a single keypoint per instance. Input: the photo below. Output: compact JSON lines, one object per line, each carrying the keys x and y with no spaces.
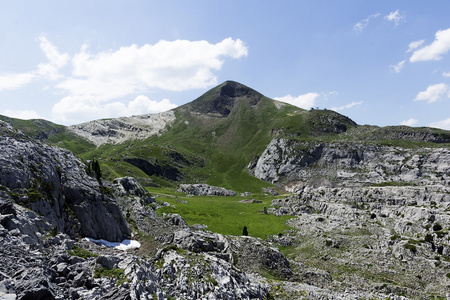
{"x":295,"y":163}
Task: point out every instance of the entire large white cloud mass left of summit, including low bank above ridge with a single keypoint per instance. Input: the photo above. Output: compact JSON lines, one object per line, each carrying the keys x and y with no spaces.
{"x":98,"y":80}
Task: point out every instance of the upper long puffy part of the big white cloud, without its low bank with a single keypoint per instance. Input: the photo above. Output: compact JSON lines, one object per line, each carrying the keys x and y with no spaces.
{"x":176,"y":66}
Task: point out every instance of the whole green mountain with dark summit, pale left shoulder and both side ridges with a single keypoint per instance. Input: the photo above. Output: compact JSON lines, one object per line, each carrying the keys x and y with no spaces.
{"x":214,"y":138}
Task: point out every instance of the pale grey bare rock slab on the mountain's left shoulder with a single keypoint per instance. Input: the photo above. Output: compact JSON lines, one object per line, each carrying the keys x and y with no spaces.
{"x":119,"y":130}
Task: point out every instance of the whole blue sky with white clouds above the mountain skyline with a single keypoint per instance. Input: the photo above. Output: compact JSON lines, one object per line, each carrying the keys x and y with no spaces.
{"x":378,"y":62}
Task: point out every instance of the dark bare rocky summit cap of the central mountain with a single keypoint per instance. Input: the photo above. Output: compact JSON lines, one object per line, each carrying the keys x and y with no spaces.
{"x":220,"y":100}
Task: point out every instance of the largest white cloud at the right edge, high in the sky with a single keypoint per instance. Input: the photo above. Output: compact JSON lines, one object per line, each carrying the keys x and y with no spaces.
{"x":435,"y":50}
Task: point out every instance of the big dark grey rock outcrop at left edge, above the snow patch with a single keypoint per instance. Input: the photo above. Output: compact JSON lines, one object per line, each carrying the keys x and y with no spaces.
{"x":53,"y":183}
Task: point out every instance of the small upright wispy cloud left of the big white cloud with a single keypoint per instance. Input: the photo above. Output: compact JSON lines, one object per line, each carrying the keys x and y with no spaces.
{"x":55,"y":59}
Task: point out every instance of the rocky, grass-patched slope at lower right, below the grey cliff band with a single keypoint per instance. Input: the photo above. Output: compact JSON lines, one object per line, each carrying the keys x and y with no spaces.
{"x":354,"y":231}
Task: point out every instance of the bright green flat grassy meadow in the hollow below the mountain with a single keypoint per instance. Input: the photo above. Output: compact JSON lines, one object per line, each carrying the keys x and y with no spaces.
{"x":226,"y":215}
